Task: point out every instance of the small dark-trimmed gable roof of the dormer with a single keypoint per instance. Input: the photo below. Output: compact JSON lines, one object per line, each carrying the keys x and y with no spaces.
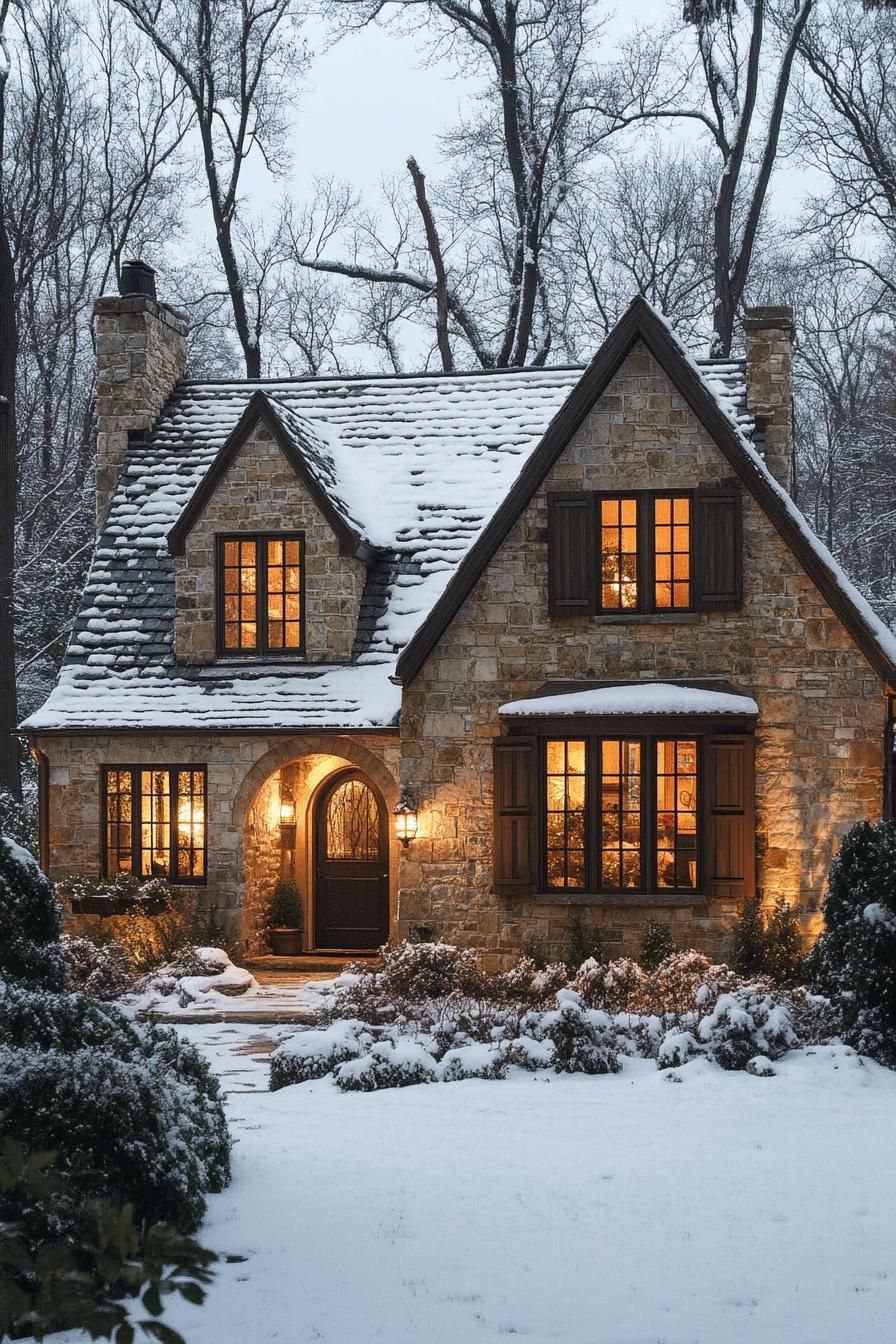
{"x":304,"y":447}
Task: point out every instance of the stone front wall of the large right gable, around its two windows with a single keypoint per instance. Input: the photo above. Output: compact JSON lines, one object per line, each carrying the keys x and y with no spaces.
{"x":821,"y":722}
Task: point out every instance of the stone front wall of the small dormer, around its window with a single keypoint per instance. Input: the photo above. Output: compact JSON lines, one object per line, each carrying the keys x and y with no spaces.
{"x":260,"y":493}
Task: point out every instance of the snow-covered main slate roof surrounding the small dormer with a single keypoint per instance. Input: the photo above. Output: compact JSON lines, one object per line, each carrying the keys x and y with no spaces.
{"x":418,"y":466}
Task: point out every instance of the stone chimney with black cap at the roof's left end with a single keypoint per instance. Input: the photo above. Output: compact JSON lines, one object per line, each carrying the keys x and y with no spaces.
{"x":142,"y":353}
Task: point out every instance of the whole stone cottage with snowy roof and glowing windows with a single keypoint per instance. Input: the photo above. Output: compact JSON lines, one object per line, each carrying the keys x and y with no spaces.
{"x":472,"y":654}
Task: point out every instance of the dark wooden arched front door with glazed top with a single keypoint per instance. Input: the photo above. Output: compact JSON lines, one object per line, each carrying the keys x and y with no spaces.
{"x":351,"y":847}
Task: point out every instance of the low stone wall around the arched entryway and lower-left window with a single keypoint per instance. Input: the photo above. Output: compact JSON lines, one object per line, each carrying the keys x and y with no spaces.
{"x":242,"y":803}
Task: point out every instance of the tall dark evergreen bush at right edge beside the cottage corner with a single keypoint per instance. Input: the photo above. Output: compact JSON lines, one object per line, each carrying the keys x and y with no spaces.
{"x":855,"y":960}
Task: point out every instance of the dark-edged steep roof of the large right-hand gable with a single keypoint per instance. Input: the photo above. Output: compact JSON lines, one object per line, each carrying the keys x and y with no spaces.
{"x":643,"y":325}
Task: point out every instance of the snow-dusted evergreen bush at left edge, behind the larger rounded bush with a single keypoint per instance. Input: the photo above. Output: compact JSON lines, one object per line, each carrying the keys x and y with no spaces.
{"x":30,"y":921}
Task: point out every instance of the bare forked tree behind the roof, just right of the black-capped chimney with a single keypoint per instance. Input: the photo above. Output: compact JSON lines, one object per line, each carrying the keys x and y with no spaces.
{"x":240,"y":65}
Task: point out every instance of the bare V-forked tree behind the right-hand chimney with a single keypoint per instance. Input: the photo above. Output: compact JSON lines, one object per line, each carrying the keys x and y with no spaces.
{"x":737,"y":92}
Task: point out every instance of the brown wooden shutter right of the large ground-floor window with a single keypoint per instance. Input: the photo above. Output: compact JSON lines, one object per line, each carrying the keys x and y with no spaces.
{"x":731,"y":849}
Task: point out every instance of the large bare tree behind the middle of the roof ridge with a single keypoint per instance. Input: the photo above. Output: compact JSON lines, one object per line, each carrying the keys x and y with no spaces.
{"x":472,"y":251}
